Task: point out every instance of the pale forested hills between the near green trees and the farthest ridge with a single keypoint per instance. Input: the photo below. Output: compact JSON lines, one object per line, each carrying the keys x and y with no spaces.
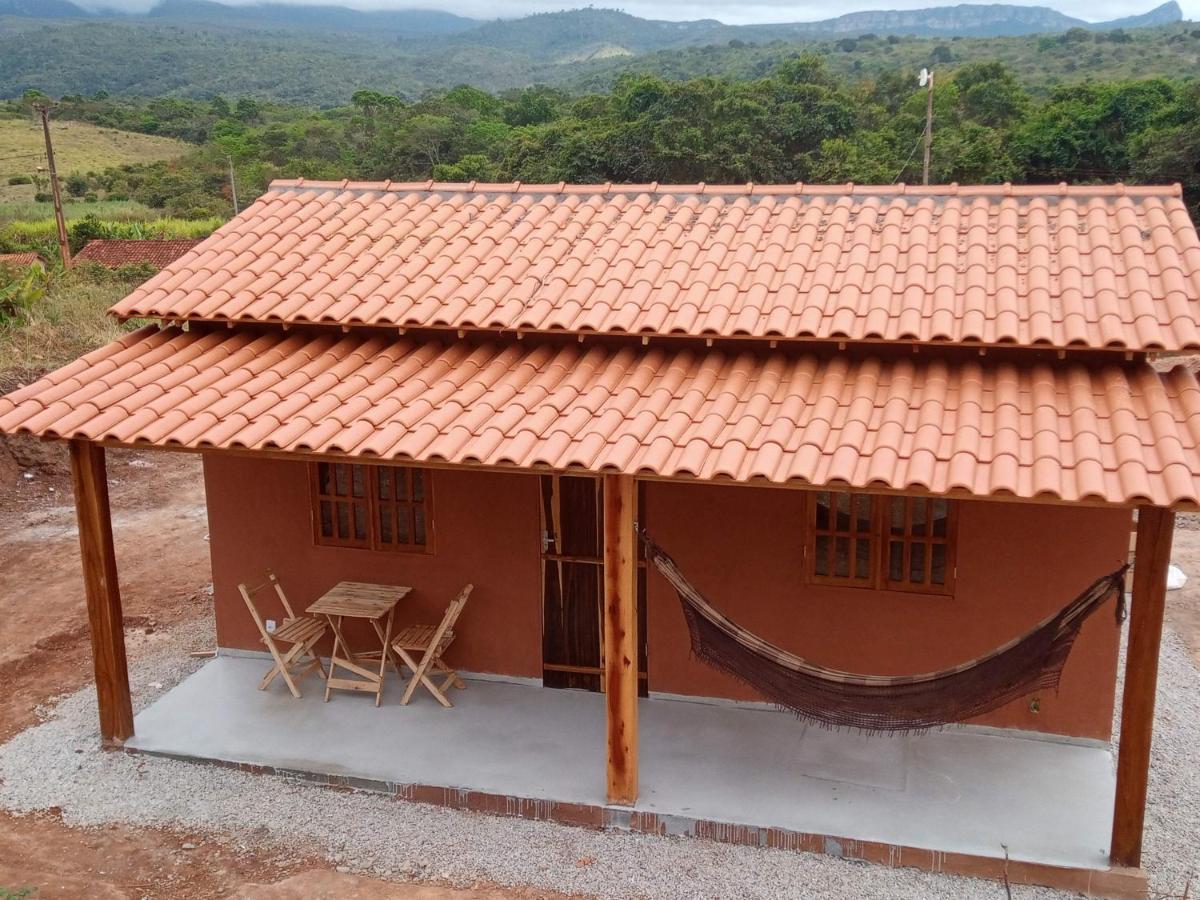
{"x":581,"y":51}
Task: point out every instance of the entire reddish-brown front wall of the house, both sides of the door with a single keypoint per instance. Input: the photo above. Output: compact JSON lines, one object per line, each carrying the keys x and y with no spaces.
{"x":741,"y":545}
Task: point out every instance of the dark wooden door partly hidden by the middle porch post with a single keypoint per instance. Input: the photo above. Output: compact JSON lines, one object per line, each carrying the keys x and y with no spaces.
{"x":573,"y":585}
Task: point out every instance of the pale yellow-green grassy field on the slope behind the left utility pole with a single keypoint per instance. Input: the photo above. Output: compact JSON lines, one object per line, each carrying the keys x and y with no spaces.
{"x":79,"y":147}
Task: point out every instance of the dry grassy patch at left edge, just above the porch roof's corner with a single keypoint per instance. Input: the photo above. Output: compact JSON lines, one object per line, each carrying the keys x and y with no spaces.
{"x":68,"y":322}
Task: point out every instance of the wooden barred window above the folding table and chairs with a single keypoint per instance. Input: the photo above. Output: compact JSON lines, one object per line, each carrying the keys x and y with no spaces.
{"x":375,"y":507}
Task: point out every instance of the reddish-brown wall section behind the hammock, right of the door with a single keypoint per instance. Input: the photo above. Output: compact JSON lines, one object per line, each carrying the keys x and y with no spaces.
{"x":1016,"y":565}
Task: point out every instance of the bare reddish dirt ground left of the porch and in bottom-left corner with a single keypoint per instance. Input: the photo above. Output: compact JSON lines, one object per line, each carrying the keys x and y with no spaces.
{"x":161,"y":530}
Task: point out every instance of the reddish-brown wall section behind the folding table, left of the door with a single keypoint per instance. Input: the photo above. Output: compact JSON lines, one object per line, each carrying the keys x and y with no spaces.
{"x":487,"y":529}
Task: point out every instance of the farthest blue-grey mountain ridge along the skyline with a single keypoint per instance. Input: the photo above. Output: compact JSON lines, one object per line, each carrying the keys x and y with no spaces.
{"x":572,"y":29}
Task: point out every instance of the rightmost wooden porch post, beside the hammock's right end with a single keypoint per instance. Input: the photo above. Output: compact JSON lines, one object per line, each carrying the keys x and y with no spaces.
{"x":1153,"y":555}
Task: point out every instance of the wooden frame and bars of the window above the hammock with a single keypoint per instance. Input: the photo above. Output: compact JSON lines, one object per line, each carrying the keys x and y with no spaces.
{"x":880,"y":537}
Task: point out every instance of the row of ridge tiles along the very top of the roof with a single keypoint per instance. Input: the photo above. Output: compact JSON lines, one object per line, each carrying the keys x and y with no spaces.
{"x":748,"y":190}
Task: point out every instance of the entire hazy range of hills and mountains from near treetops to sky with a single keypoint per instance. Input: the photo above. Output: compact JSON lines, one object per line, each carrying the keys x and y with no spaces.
{"x":322,"y":55}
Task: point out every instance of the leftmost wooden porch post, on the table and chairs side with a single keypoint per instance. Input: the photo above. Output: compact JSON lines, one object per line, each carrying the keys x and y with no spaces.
{"x":91,"y":482}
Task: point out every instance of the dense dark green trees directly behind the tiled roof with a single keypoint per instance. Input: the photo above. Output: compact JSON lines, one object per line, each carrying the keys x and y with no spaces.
{"x":799,"y":123}
